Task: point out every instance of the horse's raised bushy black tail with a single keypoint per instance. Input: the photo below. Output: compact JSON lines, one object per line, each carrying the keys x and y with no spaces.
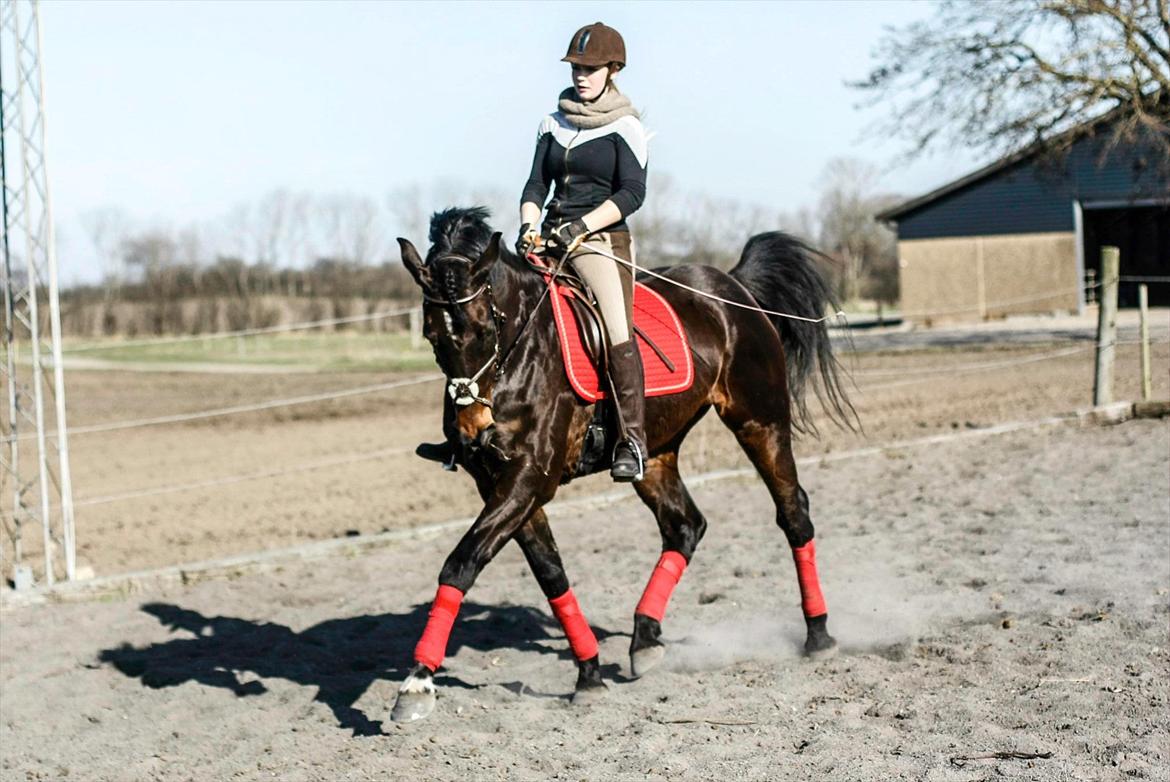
{"x":781,"y":272}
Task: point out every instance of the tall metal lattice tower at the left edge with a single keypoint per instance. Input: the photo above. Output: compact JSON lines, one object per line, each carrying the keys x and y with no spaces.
{"x":36,"y":486}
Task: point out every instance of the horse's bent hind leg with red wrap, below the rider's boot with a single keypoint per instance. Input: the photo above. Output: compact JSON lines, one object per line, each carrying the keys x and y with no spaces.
{"x":682,"y":526}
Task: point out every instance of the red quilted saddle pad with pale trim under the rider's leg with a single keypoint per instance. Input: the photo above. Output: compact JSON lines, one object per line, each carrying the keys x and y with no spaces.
{"x":655,"y":317}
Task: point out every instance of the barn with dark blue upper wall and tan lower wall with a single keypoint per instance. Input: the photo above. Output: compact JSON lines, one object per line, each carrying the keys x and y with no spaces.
{"x":1024,"y":235}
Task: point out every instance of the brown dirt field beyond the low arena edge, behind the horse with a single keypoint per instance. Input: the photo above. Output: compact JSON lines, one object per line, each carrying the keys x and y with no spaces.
{"x":163,"y":495}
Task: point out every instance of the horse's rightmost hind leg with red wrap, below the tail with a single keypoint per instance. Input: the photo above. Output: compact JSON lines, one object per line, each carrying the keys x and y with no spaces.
{"x":766,"y":436}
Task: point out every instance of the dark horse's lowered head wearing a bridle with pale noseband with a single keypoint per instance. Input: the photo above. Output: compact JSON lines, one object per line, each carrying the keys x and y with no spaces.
{"x":459,"y":315}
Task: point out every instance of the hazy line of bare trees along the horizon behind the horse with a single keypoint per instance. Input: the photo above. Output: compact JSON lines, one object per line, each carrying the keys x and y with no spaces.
{"x":299,"y":257}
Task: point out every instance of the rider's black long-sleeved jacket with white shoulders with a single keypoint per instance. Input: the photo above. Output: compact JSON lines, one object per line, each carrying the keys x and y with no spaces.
{"x":588,"y":167}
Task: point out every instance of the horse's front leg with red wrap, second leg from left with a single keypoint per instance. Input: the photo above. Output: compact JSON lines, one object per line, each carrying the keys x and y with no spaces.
{"x":540,"y":548}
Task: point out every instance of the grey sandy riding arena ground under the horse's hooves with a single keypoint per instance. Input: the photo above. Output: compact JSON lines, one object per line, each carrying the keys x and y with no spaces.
{"x":1004,"y":594}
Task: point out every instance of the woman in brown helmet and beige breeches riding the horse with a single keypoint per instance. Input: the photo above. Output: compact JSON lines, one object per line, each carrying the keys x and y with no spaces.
{"x":594,"y":150}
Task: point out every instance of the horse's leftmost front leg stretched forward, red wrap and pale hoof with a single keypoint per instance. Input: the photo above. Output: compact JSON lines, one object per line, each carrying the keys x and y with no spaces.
{"x":514,"y":499}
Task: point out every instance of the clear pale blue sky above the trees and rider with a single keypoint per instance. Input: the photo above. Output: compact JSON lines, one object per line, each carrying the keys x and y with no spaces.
{"x":176,"y":112}
